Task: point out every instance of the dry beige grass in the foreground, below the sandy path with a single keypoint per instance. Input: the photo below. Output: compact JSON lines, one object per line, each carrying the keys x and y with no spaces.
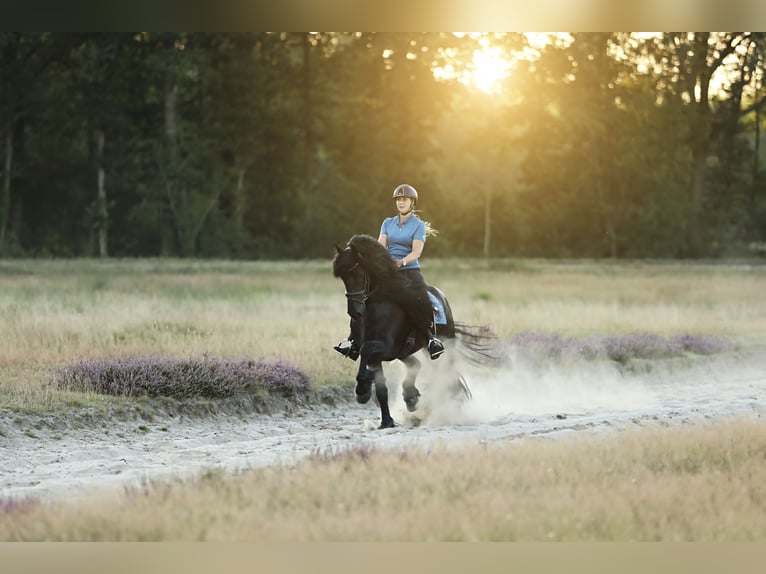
{"x":705,"y":483}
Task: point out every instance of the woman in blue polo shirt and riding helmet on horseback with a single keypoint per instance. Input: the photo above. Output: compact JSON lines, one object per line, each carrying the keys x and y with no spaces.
{"x":404,"y":236}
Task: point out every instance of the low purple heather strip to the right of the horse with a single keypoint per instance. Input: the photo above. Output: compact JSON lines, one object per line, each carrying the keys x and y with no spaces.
{"x":616,"y":347}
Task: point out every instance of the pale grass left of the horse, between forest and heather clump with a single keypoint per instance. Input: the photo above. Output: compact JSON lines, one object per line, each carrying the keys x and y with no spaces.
{"x":59,"y":312}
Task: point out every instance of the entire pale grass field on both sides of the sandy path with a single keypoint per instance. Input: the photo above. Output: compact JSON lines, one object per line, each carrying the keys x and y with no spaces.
{"x":701,"y":483}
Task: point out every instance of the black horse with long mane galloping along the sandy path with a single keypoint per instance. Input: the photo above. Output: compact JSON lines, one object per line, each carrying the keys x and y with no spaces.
{"x":384,"y":331}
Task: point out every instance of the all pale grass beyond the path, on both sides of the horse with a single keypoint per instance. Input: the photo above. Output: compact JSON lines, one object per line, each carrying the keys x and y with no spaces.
{"x":54,"y":313}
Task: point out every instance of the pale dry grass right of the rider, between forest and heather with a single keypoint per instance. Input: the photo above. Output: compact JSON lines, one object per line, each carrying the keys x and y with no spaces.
{"x":610,"y":297}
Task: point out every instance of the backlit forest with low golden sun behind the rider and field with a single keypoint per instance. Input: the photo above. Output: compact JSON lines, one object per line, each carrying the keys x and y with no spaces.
{"x":271,"y":145}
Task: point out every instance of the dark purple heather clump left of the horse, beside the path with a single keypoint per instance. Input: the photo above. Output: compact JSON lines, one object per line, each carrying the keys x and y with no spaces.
{"x":182,"y":378}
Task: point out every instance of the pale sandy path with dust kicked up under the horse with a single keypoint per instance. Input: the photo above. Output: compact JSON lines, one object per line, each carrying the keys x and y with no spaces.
{"x":517,"y":402}
